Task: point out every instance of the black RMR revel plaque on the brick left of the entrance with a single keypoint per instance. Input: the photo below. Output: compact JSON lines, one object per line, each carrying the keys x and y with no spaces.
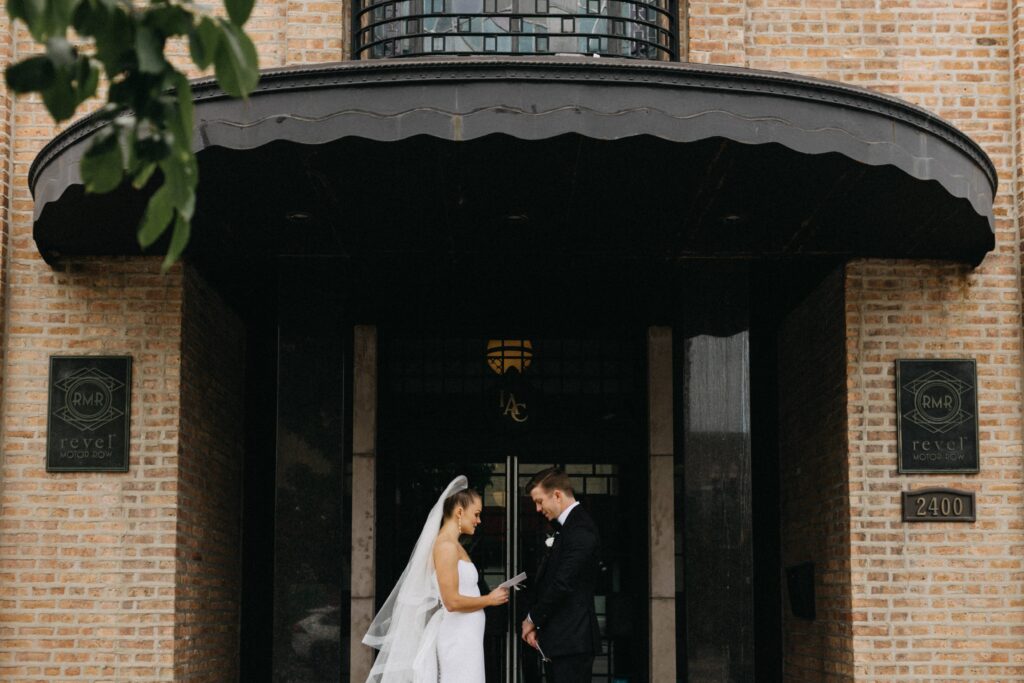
{"x":90,"y":409}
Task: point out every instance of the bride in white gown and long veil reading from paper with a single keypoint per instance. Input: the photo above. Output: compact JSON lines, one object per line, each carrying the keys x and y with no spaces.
{"x":431,"y":629}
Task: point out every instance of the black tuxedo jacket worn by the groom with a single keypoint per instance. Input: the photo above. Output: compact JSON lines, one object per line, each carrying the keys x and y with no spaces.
{"x":563,"y":600}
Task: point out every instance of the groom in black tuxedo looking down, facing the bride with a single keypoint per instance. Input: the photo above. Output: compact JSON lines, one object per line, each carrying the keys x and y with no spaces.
{"x":562,"y":623}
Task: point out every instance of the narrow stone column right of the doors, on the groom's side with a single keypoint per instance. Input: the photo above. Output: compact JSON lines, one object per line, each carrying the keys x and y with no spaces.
{"x":663,"y":529}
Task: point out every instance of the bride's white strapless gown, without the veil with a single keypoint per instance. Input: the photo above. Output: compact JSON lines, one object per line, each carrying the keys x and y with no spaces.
{"x":460,"y":637}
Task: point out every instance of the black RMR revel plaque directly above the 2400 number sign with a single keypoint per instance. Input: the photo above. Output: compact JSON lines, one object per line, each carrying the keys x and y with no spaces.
{"x":937,"y":416}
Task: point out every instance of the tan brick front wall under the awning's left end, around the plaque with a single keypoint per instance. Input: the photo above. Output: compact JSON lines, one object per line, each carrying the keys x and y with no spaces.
{"x":87,"y":560}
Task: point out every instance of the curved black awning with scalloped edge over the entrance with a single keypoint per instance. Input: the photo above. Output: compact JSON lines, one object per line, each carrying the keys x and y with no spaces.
{"x":553,"y":155}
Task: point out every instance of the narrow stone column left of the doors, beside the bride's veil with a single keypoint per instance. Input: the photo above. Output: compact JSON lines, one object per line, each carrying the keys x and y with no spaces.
{"x":364,"y":490}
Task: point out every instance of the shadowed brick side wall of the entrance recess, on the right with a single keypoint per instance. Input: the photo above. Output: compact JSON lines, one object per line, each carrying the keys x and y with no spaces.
{"x":815,"y":487}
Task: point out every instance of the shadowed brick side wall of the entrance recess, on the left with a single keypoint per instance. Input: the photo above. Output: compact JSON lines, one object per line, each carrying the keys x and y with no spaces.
{"x":210,"y":449}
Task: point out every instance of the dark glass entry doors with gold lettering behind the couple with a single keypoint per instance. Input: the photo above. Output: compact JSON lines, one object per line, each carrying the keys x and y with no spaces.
{"x":499,"y":410}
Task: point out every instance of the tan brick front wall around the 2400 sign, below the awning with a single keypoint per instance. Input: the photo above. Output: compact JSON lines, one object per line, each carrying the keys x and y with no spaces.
{"x":935,"y":602}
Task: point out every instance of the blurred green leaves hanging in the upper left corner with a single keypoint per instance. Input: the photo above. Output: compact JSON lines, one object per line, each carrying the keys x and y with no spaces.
{"x":150,"y":107}
